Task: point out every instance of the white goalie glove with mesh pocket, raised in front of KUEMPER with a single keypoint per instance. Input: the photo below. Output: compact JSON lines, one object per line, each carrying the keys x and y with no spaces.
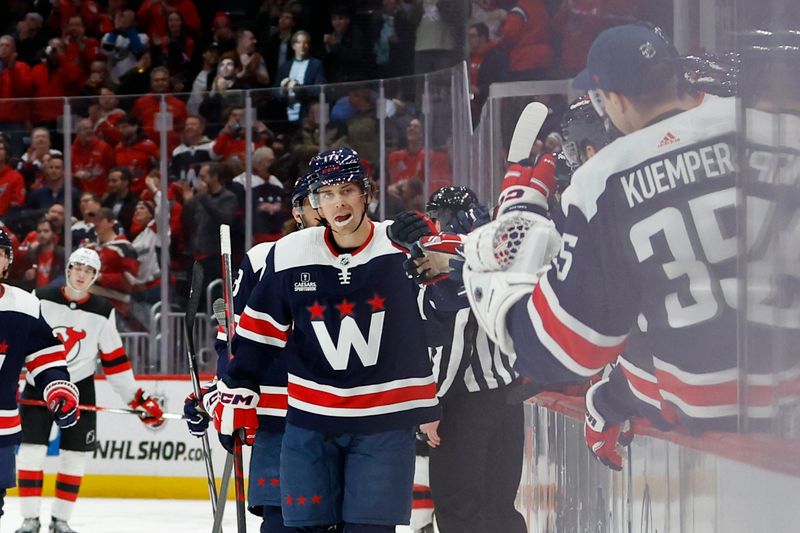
{"x":503,"y":261}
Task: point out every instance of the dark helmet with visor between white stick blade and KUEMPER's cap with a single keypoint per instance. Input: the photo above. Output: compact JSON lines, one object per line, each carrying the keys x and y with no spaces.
{"x":581,"y":126}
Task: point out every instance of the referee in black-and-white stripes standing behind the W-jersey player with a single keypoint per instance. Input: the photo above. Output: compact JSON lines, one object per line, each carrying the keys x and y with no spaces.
{"x":476,"y":462}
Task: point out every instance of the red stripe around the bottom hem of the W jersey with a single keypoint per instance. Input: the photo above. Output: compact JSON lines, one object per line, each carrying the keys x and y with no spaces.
{"x":362,"y":401}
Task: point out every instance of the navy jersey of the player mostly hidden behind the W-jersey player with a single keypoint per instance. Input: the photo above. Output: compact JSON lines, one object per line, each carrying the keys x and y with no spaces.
{"x":271,"y":380}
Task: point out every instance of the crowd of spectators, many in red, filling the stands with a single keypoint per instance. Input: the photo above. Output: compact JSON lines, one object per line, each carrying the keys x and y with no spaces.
{"x":121,"y":60}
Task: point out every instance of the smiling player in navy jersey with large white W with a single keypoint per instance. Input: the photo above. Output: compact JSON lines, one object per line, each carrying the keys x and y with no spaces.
{"x":359,"y":379}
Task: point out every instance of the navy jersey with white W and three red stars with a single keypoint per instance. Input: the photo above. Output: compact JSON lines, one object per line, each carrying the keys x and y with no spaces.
{"x":360,"y":362}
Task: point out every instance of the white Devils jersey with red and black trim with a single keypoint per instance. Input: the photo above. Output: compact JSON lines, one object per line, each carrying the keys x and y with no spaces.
{"x":87,"y":328}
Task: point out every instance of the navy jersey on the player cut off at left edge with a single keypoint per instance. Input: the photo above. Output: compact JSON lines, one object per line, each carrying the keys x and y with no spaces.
{"x":25,"y":339}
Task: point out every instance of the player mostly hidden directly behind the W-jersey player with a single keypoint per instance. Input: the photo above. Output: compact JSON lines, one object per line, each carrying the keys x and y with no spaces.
{"x":264,"y":490}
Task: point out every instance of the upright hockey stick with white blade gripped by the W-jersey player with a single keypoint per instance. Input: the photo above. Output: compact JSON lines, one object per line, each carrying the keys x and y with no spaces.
{"x":227,"y":296}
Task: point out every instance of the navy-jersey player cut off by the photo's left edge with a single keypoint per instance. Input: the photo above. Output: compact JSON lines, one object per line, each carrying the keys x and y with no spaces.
{"x":26,"y":339}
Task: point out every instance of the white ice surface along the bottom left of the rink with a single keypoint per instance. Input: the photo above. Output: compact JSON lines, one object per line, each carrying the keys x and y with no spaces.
{"x":112,"y":515}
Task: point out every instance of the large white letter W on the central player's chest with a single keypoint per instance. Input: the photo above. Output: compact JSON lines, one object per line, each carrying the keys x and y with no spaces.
{"x":350,"y":337}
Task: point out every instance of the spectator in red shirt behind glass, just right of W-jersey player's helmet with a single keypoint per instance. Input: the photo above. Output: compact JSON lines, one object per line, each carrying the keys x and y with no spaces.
{"x":410,"y":162}
